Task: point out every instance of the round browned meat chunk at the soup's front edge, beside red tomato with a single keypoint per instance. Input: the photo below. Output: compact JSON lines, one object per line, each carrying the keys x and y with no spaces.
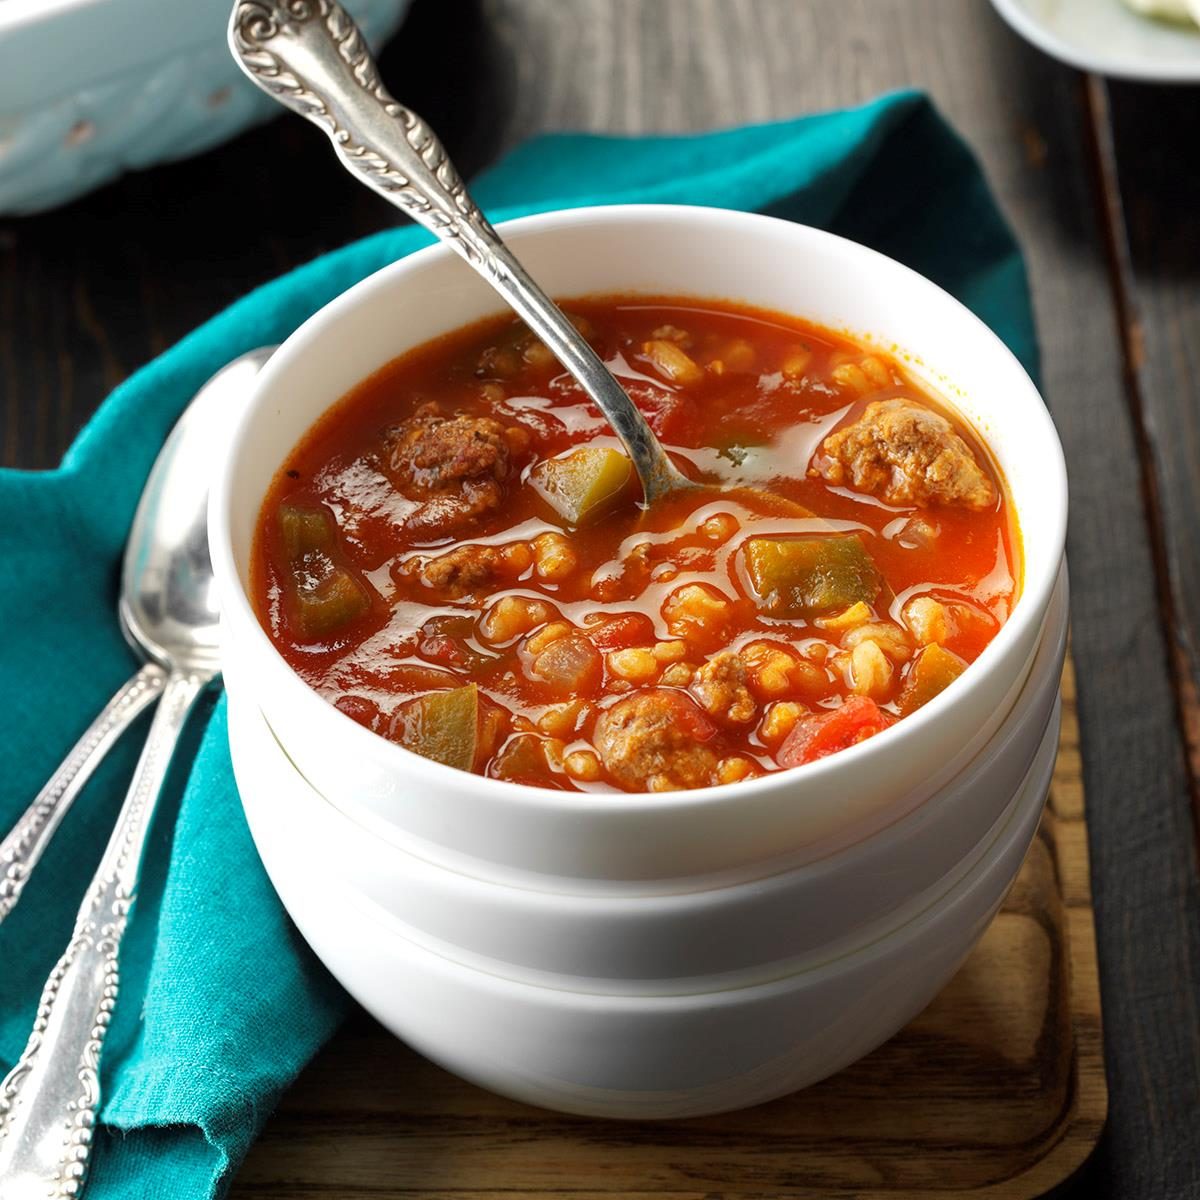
{"x":655,"y":741}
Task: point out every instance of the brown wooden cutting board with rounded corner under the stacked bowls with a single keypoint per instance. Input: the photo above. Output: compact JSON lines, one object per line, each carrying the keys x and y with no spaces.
{"x":997,"y":1090}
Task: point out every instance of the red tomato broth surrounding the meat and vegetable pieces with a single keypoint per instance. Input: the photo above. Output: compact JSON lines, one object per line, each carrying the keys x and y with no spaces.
{"x":747,"y":425}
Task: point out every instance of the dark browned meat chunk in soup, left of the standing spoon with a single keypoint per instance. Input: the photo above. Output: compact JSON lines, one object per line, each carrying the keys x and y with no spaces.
{"x":459,"y":465}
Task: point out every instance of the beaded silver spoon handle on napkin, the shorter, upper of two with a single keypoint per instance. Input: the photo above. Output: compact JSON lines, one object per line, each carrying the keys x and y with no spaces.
{"x":22,"y":849}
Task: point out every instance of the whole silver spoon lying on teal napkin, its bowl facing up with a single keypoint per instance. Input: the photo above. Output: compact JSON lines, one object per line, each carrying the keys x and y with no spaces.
{"x":169,"y":610}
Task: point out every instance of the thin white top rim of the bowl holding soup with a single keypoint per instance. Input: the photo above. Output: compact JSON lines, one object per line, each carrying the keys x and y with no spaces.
{"x":1029,"y":610}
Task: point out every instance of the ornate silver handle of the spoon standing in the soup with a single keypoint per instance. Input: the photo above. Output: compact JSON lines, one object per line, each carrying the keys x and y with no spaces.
{"x":310,"y":56}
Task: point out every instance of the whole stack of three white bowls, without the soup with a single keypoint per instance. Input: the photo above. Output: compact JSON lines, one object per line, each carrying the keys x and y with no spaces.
{"x":652,"y":956}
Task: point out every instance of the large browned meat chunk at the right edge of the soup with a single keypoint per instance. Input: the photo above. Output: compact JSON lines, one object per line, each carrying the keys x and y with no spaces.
{"x":907,"y":454}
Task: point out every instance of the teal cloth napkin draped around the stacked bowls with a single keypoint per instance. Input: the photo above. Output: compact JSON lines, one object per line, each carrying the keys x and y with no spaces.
{"x":221,"y":1003}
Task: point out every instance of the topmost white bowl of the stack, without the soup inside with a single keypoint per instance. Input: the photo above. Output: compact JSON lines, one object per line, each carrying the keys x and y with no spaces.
{"x":663,"y":251}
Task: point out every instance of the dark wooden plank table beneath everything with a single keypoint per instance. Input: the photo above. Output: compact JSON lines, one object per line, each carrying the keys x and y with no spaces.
{"x":1101,"y":185}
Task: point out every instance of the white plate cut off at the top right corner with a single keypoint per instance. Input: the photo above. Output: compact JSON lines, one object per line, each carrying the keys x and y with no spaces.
{"x":1106,"y":37}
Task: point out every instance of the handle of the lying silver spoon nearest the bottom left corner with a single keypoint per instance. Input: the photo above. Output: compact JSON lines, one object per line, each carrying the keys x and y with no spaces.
{"x":50,"y":1100}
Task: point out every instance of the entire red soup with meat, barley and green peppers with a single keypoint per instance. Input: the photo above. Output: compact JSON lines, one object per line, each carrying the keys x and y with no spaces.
{"x":457,"y":557}
